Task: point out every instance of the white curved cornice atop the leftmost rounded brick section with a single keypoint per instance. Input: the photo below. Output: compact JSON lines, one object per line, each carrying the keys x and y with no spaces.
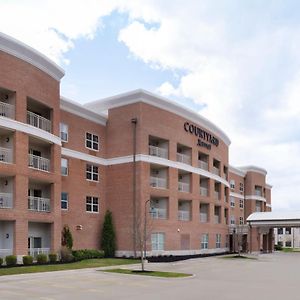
{"x":30,"y":55}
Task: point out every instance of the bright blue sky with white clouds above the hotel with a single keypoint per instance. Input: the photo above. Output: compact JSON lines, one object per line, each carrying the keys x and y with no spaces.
{"x":235,"y":62}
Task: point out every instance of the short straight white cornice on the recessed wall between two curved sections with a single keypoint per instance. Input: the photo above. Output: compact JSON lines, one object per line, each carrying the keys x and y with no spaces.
{"x":81,"y":111}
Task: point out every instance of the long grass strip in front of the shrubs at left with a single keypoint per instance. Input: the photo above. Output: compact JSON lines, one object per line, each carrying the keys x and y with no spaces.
{"x":88,"y":263}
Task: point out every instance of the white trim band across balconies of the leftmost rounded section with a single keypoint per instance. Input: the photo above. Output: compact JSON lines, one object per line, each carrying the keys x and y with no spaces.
{"x":31,"y":130}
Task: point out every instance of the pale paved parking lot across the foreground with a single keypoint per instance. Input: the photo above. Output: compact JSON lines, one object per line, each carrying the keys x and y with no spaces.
{"x":270,"y":276}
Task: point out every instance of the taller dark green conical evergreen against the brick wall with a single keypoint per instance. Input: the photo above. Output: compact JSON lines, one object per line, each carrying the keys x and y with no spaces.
{"x":108,"y":240}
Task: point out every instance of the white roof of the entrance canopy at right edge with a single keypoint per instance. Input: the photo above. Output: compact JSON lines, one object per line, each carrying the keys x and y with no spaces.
{"x":274,"y":219}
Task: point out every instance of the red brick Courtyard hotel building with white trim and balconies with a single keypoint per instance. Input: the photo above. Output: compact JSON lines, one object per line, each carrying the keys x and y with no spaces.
{"x":136,"y":154}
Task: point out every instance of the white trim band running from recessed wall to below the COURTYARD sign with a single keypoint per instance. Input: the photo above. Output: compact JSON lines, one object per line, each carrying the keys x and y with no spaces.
{"x":143,"y":158}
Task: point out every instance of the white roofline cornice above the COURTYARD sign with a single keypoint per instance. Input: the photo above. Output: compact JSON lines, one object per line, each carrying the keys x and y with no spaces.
{"x":144,"y":96}
